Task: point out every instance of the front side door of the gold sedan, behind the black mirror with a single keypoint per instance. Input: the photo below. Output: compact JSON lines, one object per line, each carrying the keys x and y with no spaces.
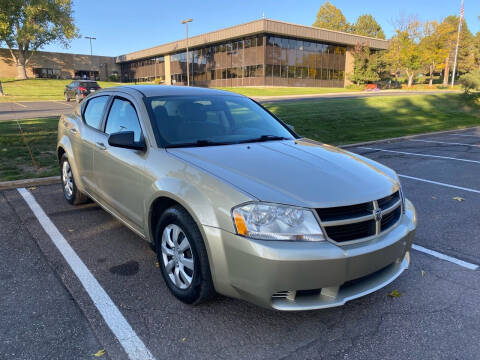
{"x":119,"y":172}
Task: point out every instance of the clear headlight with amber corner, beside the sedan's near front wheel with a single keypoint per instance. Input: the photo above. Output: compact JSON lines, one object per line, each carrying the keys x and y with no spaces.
{"x":276,"y":222}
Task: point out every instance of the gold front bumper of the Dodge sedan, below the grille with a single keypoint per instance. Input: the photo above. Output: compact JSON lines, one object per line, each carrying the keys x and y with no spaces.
{"x":307,"y":275}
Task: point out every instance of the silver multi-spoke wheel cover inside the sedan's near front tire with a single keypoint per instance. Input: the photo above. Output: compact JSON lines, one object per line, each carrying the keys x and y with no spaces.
{"x":177,"y":256}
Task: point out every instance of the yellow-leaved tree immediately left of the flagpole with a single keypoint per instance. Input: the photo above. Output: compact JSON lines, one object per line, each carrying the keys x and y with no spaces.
{"x":432,"y":47}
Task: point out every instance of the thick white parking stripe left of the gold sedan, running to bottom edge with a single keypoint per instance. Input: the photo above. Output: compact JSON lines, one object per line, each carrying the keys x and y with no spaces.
{"x":131,"y":343}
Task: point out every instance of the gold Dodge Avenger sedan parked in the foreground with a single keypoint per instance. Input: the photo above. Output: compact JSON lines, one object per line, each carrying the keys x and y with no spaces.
{"x":233,"y":200}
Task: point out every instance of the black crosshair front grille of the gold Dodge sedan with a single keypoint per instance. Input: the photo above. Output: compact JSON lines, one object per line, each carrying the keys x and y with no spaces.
{"x":356,"y":222}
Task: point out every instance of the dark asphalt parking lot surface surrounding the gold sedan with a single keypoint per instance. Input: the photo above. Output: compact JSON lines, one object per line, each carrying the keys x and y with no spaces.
{"x":45,"y":312}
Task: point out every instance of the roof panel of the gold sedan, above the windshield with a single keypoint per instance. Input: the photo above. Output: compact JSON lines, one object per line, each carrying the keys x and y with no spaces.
{"x":168,"y":90}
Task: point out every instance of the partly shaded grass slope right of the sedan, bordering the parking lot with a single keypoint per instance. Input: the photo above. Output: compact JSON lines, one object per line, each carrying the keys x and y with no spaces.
{"x":343,"y":121}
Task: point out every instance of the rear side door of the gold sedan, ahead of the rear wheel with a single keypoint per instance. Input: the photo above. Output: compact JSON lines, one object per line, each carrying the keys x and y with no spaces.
{"x":85,"y":142}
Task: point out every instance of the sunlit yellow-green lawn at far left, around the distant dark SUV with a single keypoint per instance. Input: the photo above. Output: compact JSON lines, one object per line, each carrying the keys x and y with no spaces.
{"x":38,"y":89}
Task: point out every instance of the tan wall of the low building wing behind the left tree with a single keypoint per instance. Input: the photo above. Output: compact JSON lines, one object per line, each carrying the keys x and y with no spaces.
{"x":66,"y":63}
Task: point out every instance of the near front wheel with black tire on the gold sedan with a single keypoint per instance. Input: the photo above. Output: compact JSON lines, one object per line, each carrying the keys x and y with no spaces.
{"x":182,"y":257}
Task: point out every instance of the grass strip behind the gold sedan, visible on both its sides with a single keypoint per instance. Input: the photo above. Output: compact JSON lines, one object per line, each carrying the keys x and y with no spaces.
{"x":334,"y":121}
